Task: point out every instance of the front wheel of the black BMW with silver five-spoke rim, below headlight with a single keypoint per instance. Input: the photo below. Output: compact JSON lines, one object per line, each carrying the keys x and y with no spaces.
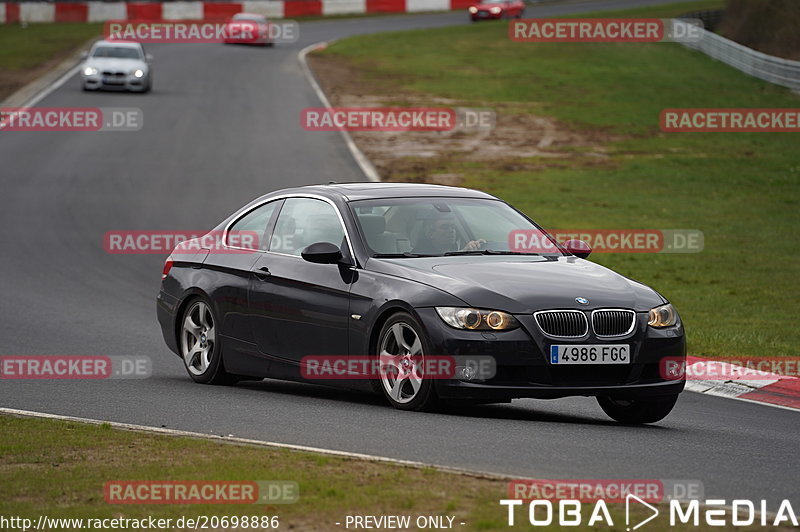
{"x":402,"y":347}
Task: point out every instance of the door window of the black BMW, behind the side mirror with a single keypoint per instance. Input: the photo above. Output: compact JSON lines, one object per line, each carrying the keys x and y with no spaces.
{"x":305,"y":221}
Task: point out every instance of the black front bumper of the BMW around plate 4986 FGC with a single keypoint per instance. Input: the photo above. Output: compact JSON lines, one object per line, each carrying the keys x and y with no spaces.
{"x":523,"y":369}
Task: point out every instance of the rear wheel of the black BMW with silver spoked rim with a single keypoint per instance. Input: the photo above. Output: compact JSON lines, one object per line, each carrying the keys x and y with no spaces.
{"x":200,"y":348}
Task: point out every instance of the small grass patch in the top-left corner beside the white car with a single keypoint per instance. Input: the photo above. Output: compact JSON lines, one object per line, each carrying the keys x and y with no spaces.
{"x":26,"y":47}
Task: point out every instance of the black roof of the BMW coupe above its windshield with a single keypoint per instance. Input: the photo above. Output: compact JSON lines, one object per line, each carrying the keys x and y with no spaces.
{"x":370,"y":190}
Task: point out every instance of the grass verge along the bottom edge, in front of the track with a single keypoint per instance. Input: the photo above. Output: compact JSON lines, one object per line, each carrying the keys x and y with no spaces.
{"x":58,"y":469}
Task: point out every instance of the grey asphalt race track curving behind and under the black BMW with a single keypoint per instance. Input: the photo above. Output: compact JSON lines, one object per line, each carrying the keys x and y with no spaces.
{"x":222,"y":127}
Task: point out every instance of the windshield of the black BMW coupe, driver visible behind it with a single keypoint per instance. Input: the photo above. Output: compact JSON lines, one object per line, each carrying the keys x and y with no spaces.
{"x":411,"y":227}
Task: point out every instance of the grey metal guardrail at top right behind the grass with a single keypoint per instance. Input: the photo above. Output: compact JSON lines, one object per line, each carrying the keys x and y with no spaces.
{"x":773,"y":69}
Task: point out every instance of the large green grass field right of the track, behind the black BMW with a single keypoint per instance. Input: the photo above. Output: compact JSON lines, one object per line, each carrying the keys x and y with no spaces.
{"x":738,"y":296}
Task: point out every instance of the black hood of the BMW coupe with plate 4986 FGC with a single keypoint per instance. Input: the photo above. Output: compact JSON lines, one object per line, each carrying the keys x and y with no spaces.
{"x":526,"y":284}
